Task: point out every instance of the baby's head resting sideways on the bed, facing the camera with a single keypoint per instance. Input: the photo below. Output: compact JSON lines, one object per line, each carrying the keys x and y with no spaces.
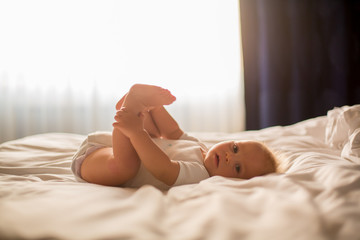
{"x":240,"y":159}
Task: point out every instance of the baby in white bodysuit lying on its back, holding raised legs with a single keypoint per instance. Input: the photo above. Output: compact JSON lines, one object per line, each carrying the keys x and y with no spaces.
{"x":147,"y":146}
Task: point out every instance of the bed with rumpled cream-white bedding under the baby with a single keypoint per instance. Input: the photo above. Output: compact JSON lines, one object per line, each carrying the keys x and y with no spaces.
{"x":317,"y":197}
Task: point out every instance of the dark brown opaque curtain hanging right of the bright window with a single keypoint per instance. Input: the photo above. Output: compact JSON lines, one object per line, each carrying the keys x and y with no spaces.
{"x":301,"y":58}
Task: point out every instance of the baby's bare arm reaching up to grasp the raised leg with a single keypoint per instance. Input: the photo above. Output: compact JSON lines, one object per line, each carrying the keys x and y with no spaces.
{"x":153,"y":158}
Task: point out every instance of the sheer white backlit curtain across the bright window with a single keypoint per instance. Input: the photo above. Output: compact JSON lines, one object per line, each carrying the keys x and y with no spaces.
{"x":64,"y":64}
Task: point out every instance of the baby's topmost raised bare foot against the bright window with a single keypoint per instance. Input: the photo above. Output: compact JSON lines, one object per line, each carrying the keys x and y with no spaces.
{"x":141,"y":97}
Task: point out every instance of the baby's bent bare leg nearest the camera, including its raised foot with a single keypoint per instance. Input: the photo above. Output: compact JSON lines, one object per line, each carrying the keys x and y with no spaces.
{"x":116,"y":165}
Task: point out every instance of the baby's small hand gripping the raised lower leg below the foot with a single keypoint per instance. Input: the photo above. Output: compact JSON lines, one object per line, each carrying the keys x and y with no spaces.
{"x":129,"y":122}
